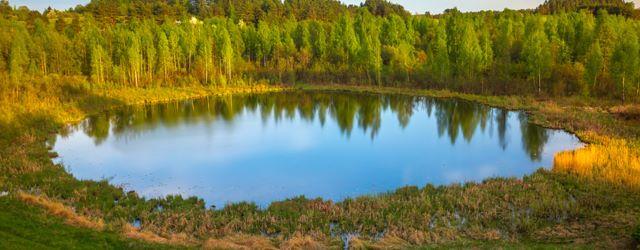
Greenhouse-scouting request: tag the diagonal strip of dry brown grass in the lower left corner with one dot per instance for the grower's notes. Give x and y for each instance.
(60, 210)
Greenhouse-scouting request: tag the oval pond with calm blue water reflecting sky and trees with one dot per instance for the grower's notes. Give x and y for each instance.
(332, 145)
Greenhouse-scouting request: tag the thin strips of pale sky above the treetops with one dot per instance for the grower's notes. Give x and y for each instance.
(415, 6)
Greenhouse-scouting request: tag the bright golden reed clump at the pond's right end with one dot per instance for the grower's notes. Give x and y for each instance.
(614, 161)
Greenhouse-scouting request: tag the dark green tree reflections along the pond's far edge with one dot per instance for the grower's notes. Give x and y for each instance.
(456, 119)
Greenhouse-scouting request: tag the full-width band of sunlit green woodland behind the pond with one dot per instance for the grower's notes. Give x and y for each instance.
(574, 51)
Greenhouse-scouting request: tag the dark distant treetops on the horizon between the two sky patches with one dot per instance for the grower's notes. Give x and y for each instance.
(251, 11)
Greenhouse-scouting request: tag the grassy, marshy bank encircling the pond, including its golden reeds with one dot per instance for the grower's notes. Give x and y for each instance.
(590, 198)
